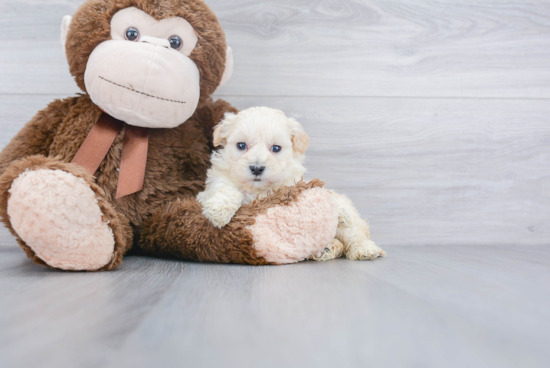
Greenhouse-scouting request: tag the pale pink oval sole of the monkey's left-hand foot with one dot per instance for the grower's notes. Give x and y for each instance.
(57, 215)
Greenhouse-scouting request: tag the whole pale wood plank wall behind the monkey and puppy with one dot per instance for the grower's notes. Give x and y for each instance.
(433, 116)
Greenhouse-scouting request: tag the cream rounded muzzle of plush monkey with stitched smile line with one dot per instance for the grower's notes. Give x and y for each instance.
(143, 84)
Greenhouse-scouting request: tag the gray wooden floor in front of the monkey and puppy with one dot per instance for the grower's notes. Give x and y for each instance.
(424, 306)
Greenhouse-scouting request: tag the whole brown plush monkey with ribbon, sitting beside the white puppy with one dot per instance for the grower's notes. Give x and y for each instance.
(119, 166)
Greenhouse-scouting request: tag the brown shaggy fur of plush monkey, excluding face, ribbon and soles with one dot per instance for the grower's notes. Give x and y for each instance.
(163, 218)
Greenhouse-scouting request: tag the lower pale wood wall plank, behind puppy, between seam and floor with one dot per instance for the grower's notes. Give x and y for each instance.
(424, 171)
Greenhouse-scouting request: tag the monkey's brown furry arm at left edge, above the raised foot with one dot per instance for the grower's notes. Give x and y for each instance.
(37, 135)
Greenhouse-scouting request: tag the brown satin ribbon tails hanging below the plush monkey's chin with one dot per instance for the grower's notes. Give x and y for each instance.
(134, 152)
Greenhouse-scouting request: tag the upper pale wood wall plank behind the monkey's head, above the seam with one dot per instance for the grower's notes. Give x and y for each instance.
(327, 47)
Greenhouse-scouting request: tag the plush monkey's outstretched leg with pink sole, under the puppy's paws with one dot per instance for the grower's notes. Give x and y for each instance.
(286, 227)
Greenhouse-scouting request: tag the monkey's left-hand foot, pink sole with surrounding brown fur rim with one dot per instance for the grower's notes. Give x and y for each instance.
(60, 217)
